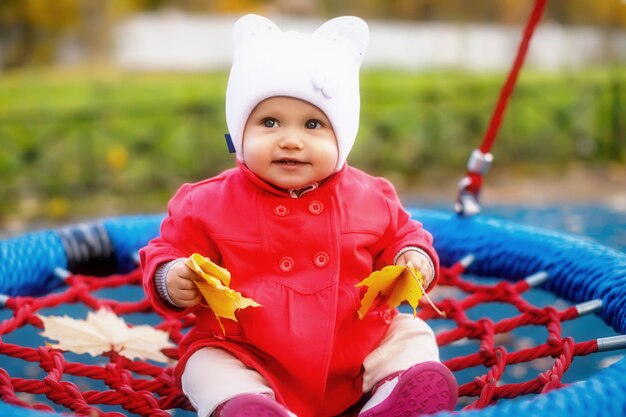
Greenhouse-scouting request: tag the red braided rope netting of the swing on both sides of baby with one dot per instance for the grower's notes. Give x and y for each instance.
(148, 389)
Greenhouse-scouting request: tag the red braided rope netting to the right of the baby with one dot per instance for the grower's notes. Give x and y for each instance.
(496, 358)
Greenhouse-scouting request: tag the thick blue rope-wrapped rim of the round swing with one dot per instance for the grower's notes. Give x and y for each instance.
(579, 270)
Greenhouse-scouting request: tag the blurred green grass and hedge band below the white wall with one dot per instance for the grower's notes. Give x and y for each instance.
(79, 144)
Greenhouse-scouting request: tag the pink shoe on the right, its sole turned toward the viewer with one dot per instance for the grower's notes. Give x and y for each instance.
(425, 388)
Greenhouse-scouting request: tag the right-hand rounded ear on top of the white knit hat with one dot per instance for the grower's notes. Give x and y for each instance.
(350, 29)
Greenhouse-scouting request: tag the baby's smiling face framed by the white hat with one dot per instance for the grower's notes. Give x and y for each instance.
(289, 143)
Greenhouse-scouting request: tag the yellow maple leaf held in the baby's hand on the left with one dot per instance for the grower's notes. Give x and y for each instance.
(215, 289)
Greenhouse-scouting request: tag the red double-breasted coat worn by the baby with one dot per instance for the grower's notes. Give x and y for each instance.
(300, 258)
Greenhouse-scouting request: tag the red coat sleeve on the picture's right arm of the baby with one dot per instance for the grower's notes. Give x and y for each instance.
(402, 232)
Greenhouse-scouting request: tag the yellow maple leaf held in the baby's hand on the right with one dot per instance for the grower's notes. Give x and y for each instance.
(396, 283)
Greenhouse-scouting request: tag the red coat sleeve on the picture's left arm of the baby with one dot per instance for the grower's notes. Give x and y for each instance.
(181, 235)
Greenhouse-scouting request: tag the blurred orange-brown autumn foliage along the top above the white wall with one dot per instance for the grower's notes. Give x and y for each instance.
(37, 32)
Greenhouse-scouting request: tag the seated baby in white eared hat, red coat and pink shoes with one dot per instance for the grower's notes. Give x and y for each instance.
(297, 228)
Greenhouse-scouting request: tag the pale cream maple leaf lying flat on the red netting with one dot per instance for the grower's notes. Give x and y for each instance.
(103, 331)
